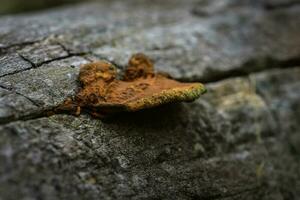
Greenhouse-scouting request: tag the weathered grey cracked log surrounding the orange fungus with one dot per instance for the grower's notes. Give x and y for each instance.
(241, 140)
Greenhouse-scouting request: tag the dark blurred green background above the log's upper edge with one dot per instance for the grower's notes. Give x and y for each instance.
(19, 6)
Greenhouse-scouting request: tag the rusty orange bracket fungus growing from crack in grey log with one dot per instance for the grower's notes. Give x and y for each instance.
(102, 93)
